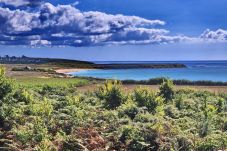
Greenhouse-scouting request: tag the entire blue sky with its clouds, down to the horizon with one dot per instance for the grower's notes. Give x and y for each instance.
(115, 30)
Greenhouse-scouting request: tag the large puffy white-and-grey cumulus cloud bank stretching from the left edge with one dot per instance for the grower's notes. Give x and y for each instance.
(64, 25)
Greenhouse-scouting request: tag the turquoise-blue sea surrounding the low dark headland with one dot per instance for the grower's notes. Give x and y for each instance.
(196, 70)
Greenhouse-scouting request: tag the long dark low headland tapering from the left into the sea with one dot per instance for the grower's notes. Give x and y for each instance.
(66, 63)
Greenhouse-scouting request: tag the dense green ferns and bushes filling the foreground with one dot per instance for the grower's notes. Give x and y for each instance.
(55, 117)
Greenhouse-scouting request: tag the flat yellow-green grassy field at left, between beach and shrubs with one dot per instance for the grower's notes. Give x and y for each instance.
(40, 78)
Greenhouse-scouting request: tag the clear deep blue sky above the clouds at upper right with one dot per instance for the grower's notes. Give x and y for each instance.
(189, 17)
